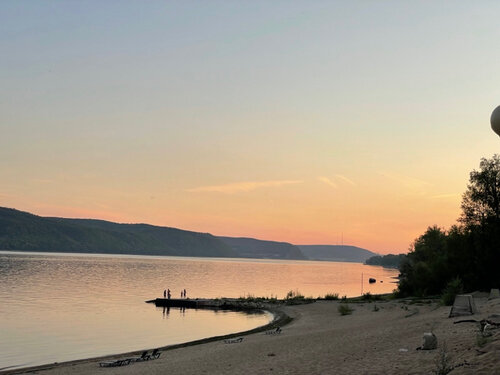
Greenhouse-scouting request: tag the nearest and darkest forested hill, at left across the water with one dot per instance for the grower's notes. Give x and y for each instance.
(24, 231)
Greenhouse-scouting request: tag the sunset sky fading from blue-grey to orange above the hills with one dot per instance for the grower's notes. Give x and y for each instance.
(310, 122)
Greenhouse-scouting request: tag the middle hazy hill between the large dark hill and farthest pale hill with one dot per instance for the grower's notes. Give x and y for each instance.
(253, 248)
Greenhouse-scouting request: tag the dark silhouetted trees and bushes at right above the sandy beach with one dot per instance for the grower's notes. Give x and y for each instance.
(467, 255)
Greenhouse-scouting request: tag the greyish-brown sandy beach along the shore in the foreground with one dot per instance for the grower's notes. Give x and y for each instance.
(321, 341)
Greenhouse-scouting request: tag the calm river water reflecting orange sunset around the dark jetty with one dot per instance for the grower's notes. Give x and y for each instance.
(57, 307)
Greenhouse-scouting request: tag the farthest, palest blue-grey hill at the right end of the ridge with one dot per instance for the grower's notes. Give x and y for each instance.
(336, 253)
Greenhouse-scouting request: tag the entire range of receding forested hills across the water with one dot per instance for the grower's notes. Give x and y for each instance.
(23, 231)
